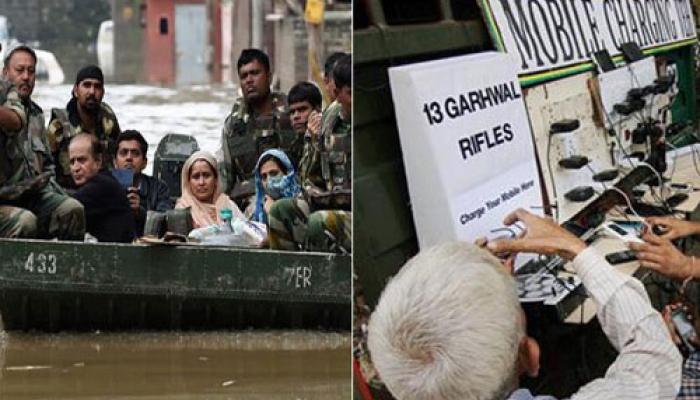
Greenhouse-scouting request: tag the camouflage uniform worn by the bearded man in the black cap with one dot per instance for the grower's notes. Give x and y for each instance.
(65, 123)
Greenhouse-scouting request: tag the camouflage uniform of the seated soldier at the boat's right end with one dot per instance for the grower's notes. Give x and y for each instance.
(321, 220)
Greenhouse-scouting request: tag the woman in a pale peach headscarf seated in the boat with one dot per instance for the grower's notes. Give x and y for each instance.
(201, 190)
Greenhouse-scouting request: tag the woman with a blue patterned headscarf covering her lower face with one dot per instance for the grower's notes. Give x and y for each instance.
(275, 178)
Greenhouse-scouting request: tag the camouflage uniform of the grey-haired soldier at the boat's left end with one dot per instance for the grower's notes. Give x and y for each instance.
(43, 211)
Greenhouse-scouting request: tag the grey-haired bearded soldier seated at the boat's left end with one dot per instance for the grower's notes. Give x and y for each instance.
(36, 206)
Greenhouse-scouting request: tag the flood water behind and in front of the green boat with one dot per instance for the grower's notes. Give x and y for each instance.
(219, 365)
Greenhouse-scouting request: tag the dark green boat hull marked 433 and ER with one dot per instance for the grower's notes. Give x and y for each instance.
(52, 286)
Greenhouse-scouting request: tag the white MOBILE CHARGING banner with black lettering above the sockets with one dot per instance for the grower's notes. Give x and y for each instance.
(552, 34)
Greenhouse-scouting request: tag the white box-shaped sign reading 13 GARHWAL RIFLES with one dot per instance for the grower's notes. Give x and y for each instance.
(466, 144)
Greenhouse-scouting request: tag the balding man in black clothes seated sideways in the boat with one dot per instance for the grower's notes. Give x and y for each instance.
(108, 214)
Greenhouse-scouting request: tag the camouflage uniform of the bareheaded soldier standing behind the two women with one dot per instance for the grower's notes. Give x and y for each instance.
(246, 136)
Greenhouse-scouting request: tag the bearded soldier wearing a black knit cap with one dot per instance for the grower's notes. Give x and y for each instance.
(84, 113)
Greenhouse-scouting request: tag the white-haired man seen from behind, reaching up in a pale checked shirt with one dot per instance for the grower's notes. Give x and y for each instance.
(449, 324)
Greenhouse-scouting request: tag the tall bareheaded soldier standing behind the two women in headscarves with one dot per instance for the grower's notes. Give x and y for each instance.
(258, 121)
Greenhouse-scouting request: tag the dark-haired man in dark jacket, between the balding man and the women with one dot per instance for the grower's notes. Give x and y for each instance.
(146, 192)
